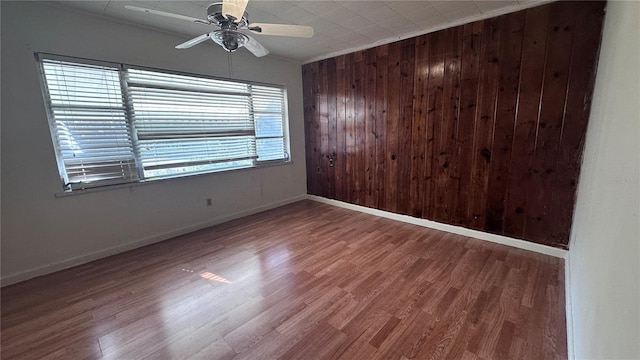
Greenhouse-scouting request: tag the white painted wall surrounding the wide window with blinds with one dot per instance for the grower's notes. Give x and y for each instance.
(42, 233)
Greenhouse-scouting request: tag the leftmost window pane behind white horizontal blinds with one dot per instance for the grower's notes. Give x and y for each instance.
(90, 124)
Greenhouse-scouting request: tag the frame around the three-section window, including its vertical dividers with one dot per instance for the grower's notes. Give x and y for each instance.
(122, 69)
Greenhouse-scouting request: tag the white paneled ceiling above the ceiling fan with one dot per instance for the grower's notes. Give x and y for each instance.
(340, 26)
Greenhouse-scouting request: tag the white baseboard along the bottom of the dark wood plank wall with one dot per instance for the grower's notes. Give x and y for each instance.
(499, 239)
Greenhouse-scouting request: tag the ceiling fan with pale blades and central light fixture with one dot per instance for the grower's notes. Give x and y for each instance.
(232, 19)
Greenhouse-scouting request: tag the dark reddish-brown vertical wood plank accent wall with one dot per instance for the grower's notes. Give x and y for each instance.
(480, 125)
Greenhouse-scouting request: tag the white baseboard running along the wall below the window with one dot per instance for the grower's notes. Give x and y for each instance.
(83, 259)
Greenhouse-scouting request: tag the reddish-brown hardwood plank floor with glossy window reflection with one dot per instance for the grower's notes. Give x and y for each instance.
(304, 281)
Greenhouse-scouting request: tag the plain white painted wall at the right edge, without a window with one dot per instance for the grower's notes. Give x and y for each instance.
(604, 254)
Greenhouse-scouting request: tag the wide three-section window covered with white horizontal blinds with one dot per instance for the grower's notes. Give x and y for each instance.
(117, 124)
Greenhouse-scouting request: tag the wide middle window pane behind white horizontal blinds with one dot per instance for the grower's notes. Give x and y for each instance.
(186, 124)
